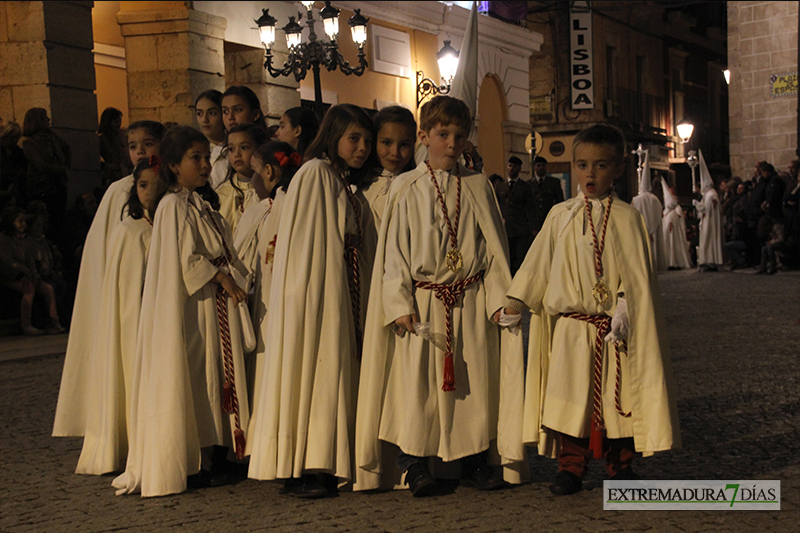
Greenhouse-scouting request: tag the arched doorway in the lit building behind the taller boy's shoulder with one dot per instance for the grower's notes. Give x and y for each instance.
(492, 112)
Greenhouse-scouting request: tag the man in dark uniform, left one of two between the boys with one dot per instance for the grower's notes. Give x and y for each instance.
(516, 201)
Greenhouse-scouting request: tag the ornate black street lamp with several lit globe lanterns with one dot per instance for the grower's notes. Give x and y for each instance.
(310, 55)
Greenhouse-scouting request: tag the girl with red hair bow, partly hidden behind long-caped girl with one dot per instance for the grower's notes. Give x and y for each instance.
(273, 164)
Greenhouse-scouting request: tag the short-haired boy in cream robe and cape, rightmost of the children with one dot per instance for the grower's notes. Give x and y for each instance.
(591, 262)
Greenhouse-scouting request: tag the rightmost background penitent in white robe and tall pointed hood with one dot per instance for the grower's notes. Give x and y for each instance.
(709, 246)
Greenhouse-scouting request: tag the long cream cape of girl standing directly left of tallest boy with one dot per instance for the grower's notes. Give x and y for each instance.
(306, 413)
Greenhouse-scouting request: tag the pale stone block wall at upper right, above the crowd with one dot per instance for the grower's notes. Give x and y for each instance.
(762, 41)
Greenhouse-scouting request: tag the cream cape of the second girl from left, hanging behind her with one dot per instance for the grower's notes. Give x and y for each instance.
(113, 354)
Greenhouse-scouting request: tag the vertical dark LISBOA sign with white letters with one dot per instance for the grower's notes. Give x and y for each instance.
(581, 59)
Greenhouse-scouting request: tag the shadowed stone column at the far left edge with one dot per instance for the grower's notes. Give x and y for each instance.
(46, 61)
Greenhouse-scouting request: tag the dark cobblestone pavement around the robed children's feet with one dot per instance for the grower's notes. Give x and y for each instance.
(734, 340)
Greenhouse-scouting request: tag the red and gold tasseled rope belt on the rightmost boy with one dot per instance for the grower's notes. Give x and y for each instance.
(603, 325)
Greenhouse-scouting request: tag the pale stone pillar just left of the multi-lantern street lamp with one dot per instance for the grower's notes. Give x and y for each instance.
(172, 56)
